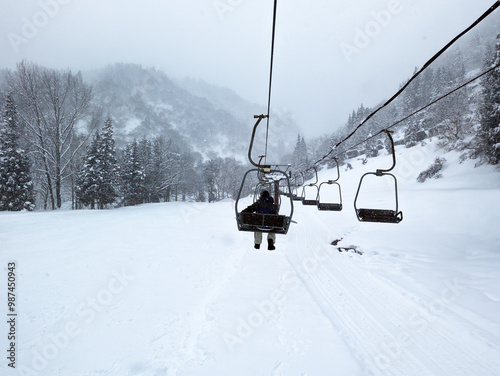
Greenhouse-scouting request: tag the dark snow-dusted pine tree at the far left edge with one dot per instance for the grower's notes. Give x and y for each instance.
(16, 187)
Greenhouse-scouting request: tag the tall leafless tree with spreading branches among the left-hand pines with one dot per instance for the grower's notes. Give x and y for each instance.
(52, 104)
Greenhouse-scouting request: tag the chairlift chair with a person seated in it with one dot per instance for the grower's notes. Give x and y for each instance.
(275, 223)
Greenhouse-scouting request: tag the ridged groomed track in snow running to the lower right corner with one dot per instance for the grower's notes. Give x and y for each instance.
(387, 328)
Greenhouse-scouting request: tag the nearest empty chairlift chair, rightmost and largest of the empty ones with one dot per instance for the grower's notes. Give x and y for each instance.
(381, 215)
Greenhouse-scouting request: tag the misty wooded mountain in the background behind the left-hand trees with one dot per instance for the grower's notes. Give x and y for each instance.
(147, 103)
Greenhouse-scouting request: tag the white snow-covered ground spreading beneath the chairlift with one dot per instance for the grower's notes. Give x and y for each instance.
(175, 289)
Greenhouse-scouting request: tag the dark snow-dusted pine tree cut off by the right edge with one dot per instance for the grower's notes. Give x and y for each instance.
(490, 111)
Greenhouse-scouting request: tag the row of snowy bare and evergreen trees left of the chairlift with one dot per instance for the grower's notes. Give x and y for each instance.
(57, 146)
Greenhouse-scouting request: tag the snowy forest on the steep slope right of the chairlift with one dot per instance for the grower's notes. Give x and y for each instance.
(456, 100)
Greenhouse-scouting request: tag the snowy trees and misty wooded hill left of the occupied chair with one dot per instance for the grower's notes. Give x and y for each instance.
(60, 144)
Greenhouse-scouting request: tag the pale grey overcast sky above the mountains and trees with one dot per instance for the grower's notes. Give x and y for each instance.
(330, 55)
